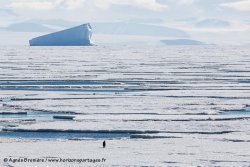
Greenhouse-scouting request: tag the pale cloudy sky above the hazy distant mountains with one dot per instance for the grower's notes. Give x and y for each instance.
(194, 16)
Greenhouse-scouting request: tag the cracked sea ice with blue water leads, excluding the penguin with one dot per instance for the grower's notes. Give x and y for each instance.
(154, 106)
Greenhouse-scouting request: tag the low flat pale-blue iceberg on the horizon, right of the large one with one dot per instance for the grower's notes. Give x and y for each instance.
(182, 42)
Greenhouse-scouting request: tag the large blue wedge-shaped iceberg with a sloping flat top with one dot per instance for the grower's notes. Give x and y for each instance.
(76, 36)
